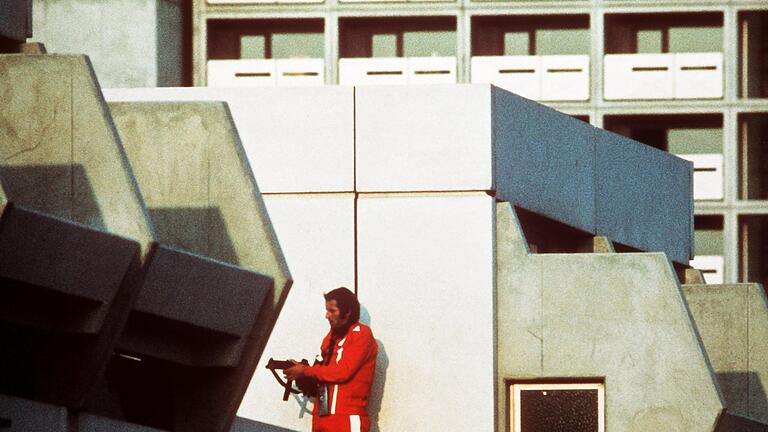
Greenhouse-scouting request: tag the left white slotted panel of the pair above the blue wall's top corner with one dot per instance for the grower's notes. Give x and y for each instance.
(518, 74)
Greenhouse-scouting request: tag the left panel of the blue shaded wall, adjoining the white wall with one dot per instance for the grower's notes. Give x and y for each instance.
(544, 160)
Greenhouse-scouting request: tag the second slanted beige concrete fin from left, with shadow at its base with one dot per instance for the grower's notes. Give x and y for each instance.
(191, 167)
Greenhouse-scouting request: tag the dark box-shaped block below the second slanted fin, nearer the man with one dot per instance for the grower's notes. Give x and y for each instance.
(186, 289)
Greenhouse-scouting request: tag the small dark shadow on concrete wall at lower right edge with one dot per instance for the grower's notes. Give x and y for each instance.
(743, 392)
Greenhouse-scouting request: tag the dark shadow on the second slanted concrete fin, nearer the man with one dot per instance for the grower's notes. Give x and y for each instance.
(200, 230)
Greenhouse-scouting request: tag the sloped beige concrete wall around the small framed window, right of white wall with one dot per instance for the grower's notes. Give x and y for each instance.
(616, 318)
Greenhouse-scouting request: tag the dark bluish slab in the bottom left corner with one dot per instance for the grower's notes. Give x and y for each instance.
(27, 416)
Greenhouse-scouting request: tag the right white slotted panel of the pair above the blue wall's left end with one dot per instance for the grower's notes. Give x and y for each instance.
(565, 78)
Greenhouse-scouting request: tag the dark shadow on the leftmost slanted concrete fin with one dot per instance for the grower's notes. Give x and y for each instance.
(58, 190)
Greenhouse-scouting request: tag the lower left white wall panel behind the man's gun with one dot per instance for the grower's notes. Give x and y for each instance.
(317, 235)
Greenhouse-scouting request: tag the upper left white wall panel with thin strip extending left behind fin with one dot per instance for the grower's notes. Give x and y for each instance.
(297, 139)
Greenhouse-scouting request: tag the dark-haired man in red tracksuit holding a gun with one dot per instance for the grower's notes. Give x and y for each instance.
(347, 368)
